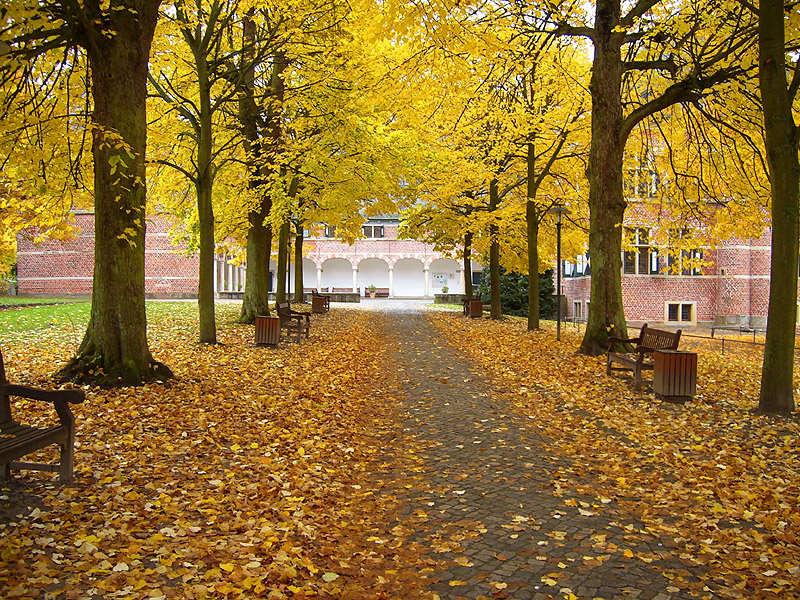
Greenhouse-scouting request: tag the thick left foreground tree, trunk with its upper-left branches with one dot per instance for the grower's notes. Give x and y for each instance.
(116, 37)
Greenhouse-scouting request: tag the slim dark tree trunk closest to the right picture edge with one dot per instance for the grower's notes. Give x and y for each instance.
(777, 389)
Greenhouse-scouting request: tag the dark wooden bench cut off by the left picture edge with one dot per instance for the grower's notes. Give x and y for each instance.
(18, 440)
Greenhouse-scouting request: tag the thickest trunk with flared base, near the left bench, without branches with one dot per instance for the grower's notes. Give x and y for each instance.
(114, 350)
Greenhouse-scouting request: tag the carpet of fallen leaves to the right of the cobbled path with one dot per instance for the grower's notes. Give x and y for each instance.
(720, 481)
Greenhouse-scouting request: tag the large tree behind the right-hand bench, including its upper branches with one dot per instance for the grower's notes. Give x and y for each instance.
(653, 57)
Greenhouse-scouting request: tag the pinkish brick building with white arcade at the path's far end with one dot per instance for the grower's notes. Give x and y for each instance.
(407, 268)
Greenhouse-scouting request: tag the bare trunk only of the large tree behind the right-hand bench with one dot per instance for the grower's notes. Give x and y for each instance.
(606, 201)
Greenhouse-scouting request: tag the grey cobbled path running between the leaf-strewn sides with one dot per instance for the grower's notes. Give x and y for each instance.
(482, 497)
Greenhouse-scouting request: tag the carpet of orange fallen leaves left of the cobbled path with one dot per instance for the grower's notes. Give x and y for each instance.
(247, 476)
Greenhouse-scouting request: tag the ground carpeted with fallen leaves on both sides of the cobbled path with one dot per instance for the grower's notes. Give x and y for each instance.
(254, 473)
